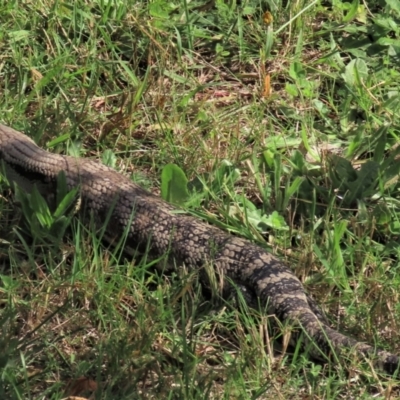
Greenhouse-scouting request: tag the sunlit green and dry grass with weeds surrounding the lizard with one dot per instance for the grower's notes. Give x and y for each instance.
(289, 132)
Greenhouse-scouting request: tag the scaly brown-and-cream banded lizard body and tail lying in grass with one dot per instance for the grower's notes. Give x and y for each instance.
(188, 240)
